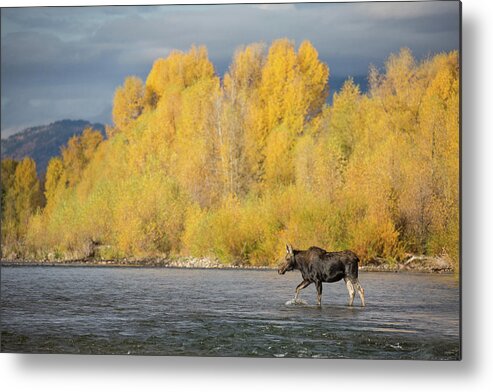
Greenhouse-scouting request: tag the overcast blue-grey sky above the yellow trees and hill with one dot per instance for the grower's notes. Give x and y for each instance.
(65, 62)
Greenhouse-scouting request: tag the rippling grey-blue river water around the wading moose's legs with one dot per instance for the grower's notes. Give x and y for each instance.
(164, 311)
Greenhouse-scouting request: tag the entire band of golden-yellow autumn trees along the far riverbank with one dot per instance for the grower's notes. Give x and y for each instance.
(235, 167)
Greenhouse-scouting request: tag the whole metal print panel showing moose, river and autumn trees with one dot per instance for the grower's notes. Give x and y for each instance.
(242, 180)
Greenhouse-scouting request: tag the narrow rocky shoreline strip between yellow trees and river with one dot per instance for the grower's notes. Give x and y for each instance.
(410, 264)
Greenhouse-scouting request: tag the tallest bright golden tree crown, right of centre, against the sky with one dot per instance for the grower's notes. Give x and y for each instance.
(293, 87)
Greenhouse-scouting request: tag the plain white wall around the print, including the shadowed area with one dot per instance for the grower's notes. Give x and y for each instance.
(473, 373)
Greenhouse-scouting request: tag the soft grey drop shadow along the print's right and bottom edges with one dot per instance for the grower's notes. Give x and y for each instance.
(30, 364)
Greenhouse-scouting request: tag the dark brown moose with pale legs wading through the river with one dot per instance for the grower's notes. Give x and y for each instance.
(317, 265)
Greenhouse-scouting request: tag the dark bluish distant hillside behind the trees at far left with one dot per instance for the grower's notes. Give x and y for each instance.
(44, 142)
